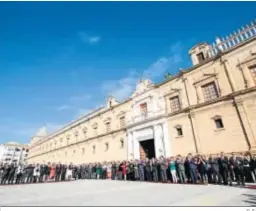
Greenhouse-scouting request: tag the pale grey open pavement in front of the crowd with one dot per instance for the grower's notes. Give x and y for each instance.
(124, 193)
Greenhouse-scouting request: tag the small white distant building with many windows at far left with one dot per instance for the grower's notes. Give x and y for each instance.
(13, 152)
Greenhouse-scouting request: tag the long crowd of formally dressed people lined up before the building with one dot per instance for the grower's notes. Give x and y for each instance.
(198, 169)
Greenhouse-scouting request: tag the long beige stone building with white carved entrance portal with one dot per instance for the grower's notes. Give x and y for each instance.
(208, 108)
